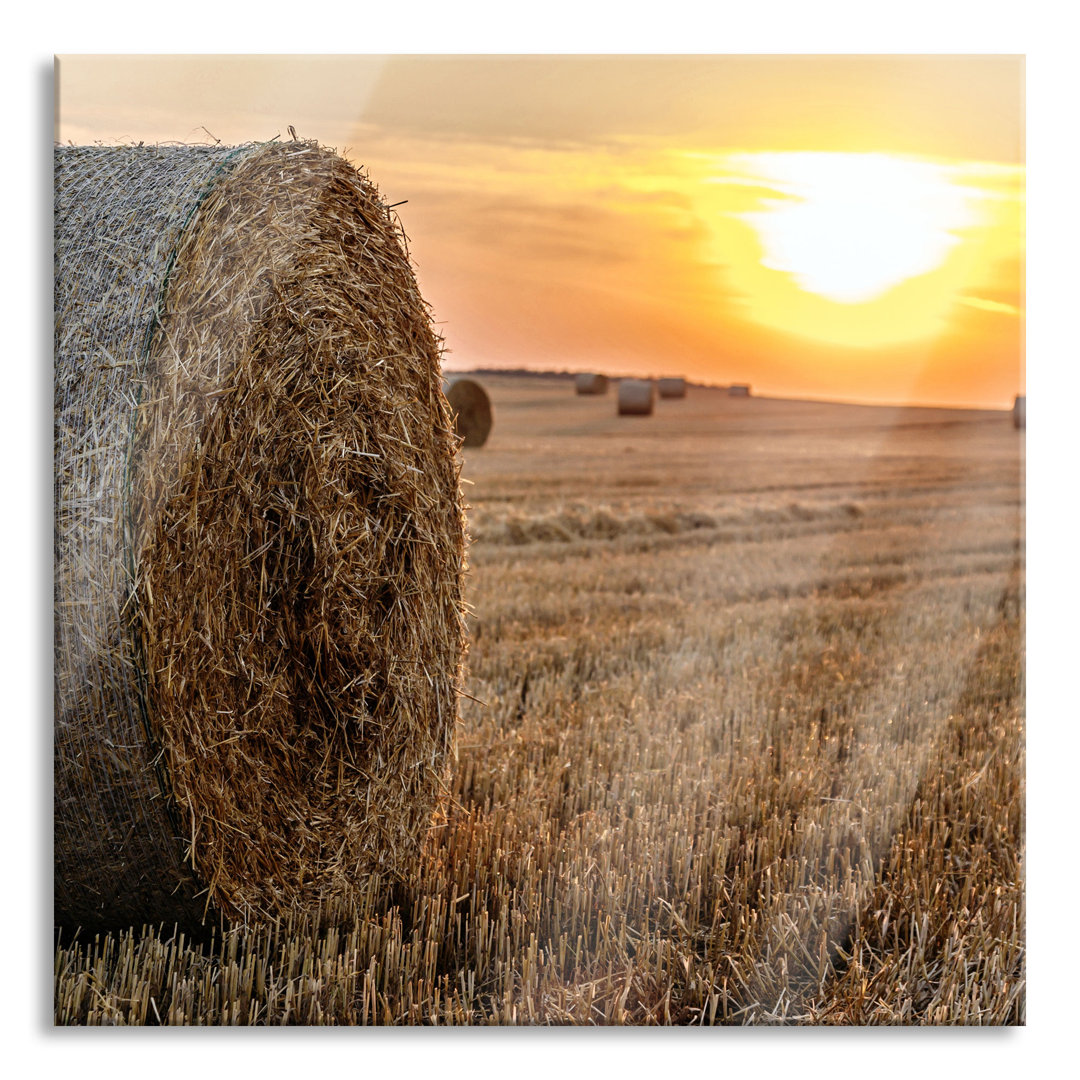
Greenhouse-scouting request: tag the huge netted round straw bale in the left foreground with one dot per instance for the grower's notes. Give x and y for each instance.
(259, 538)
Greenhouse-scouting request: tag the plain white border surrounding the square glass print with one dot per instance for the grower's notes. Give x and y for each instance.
(1044, 31)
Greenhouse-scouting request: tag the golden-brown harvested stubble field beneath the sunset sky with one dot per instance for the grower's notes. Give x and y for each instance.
(745, 742)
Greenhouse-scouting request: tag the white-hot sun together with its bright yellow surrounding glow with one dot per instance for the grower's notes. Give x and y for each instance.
(861, 250)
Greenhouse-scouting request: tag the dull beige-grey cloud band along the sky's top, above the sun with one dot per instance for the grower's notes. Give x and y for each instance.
(957, 106)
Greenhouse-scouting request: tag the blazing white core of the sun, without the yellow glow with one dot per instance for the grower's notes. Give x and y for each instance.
(850, 226)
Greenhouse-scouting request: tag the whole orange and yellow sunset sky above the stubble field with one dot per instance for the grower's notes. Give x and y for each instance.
(845, 227)
